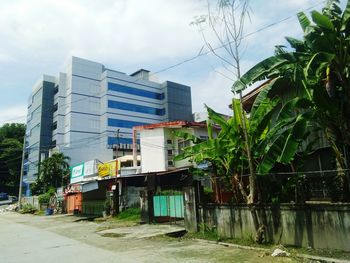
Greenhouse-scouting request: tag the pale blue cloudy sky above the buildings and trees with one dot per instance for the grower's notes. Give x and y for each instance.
(39, 36)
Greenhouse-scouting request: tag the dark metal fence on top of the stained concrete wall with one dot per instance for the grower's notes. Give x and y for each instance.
(288, 187)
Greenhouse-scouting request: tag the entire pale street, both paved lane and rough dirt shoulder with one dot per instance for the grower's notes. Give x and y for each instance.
(28, 238)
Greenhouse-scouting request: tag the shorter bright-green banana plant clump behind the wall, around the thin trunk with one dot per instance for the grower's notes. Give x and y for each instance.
(271, 142)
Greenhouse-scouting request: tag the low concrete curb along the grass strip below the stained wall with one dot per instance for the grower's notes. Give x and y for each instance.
(305, 256)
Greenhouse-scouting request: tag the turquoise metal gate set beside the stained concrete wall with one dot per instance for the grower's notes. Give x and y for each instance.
(168, 207)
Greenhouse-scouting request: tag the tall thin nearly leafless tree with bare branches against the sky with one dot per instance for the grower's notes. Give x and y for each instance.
(227, 22)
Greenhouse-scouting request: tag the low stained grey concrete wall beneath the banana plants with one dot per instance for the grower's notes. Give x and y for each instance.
(317, 226)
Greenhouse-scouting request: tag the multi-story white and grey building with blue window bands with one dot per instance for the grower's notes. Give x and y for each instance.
(90, 108)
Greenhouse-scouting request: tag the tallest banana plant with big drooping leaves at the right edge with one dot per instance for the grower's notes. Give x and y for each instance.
(318, 70)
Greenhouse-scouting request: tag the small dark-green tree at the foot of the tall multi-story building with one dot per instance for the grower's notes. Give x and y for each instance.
(53, 172)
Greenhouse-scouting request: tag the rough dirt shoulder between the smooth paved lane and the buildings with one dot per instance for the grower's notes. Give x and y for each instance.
(138, 242)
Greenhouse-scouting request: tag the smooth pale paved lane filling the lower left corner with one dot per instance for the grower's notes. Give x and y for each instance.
(23, 243)
